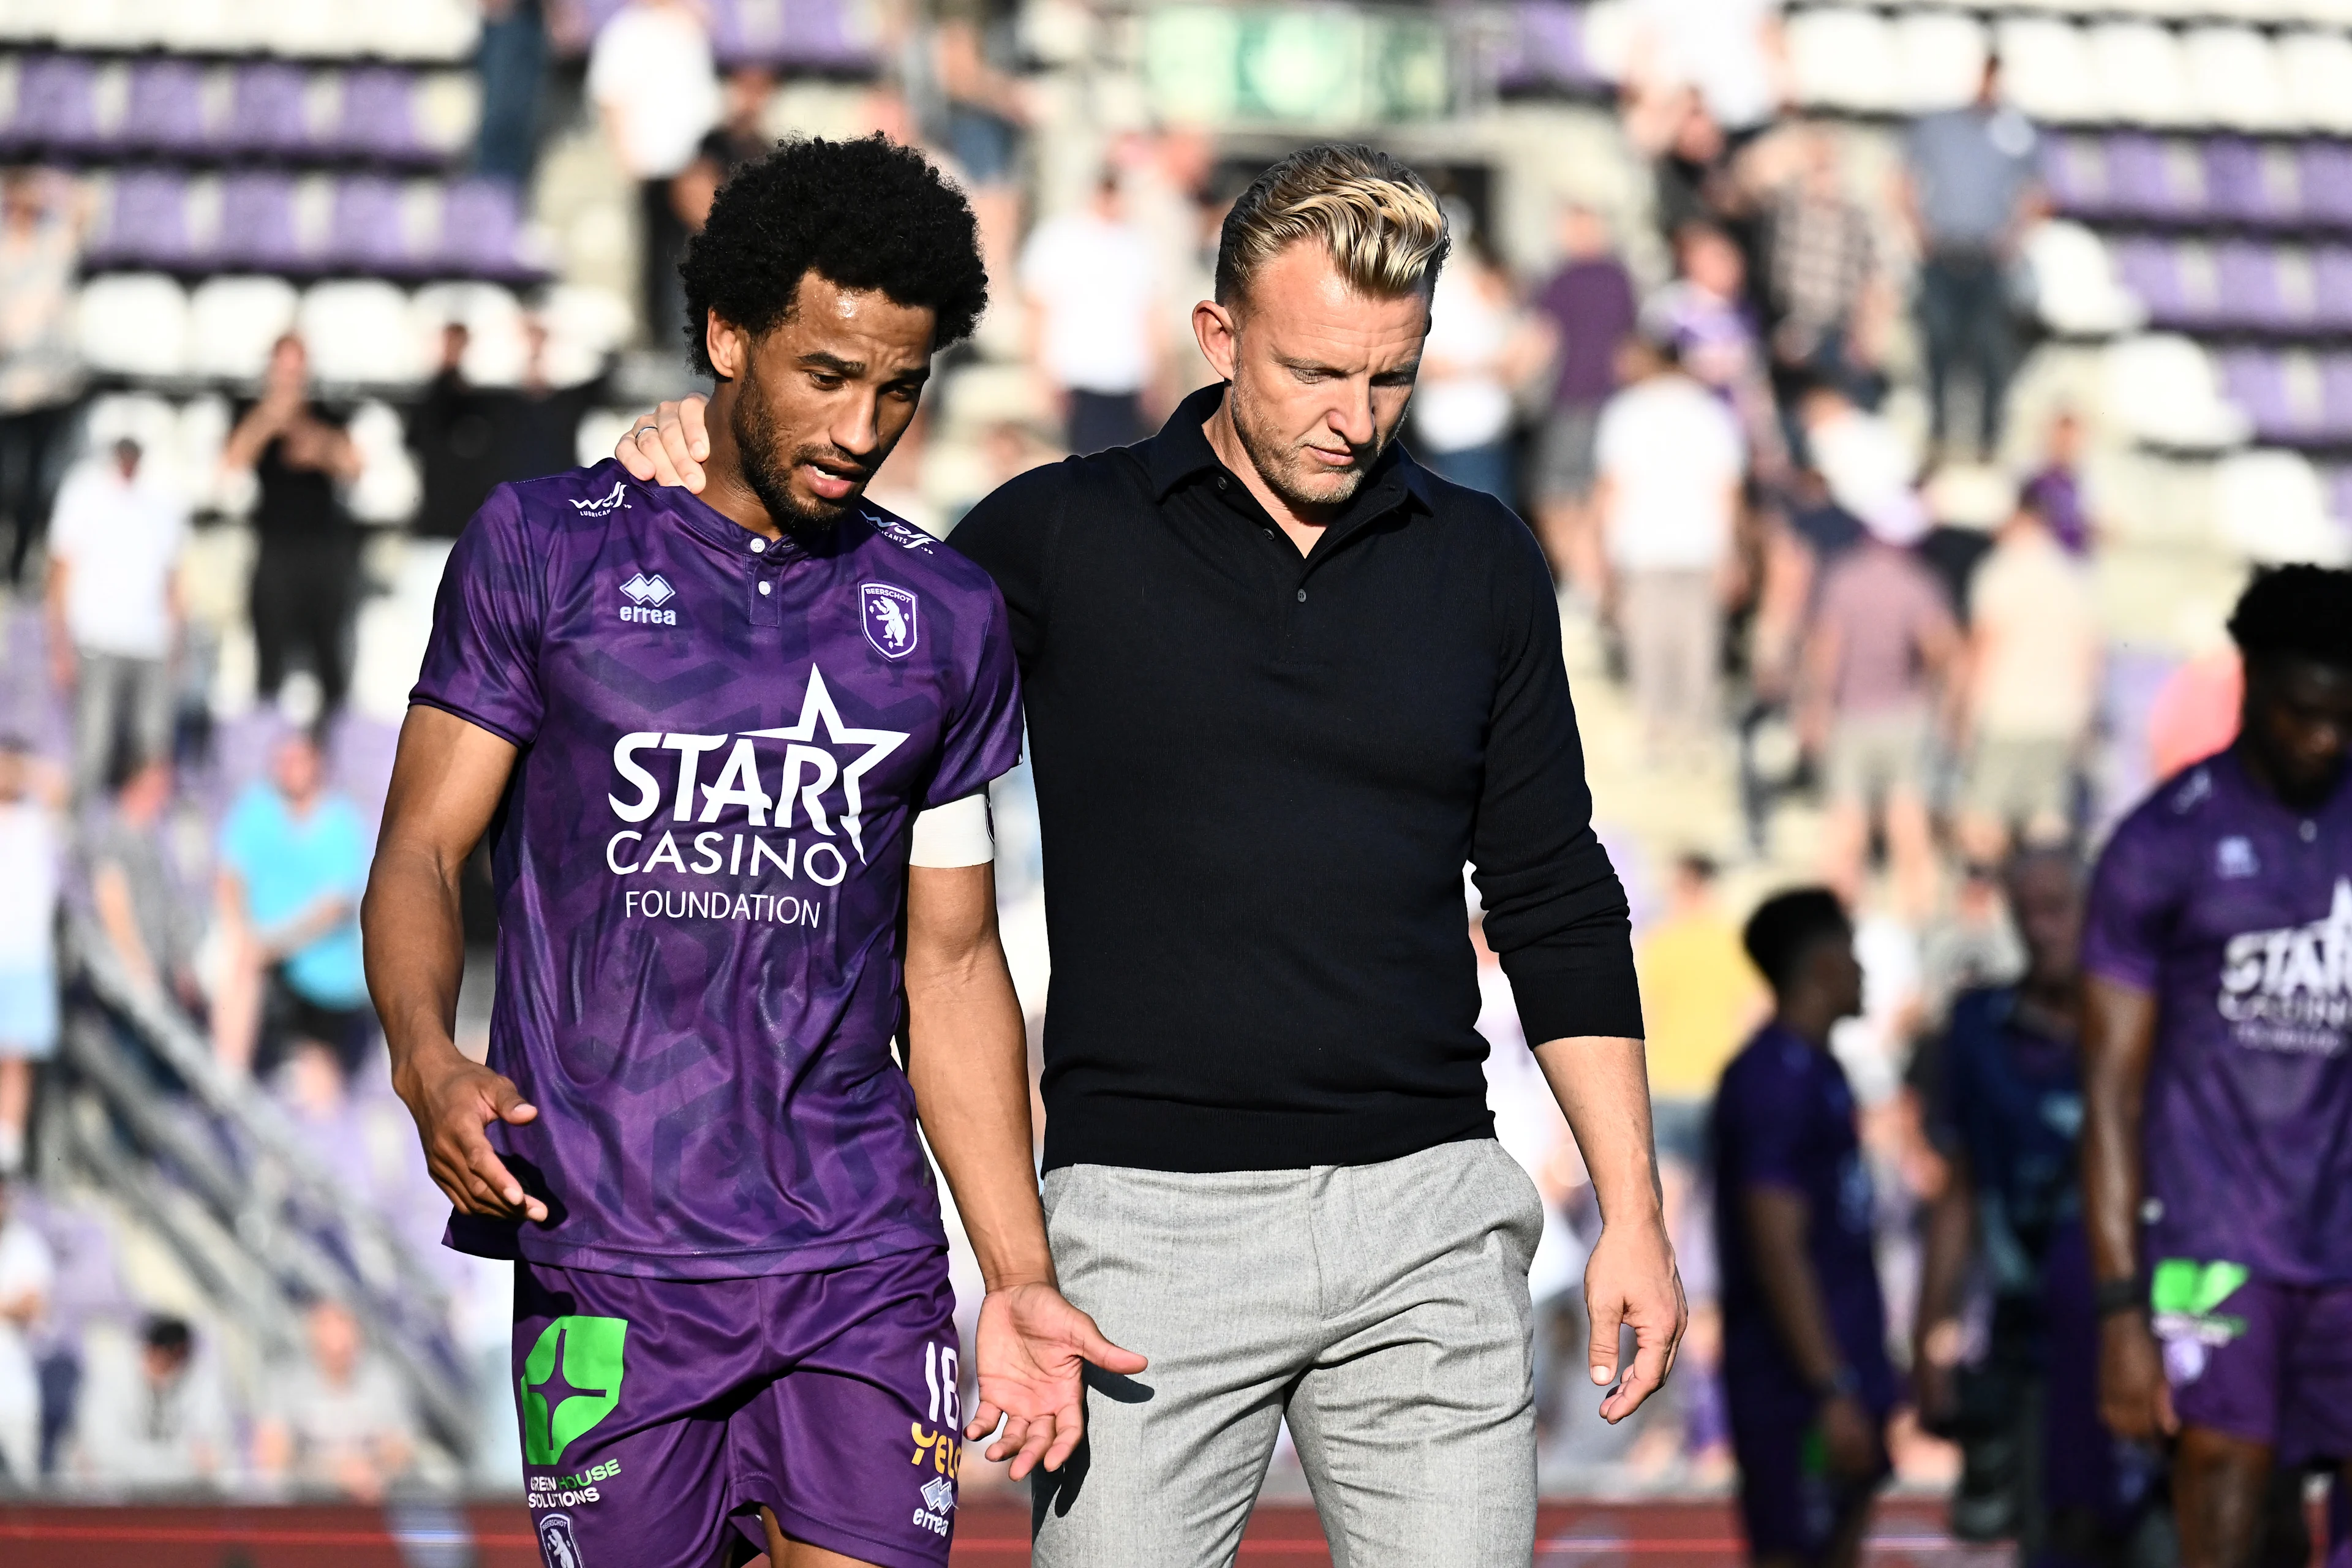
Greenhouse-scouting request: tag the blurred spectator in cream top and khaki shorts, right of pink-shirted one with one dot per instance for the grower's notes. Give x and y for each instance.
(2031, 690)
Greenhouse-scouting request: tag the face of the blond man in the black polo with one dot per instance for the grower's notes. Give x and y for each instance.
(1321, 373)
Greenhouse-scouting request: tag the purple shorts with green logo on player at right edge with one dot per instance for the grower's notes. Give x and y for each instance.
(2259, 1360)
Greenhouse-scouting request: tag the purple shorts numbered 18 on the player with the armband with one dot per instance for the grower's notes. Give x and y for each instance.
(662, 1414)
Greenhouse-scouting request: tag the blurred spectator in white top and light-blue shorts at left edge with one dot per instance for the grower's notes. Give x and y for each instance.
(29, 869)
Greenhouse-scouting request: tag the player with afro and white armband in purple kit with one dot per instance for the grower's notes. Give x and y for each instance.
(733, 756)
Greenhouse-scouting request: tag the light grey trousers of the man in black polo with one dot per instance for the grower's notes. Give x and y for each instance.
(1379, 1308)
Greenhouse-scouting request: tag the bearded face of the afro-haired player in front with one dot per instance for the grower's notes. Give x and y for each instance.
(817, 403)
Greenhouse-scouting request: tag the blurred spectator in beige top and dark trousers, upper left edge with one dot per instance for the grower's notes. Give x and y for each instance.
(41, 373)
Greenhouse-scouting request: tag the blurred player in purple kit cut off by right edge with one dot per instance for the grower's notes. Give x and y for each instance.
(2219, 1085)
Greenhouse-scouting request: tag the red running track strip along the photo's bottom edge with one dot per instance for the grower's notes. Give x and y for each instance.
(989, 1536)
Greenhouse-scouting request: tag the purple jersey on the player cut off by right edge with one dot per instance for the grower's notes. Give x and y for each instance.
(2236, 913)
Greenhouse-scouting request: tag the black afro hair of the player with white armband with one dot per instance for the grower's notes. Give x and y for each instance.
(864, 215)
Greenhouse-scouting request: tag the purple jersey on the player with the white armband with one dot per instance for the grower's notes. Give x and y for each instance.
(702, 862)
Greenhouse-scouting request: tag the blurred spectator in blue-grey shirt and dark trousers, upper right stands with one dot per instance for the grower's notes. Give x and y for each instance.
(1970, 192)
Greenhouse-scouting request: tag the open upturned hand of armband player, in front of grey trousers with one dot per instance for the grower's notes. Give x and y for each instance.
(1031, 1353)
